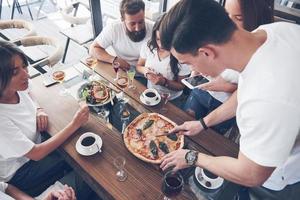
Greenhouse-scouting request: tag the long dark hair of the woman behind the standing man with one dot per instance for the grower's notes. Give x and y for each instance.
(256, 13)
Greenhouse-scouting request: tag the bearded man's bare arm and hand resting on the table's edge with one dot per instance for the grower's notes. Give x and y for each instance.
(101, 54)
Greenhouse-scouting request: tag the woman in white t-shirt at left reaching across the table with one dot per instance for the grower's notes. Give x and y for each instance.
(24, 161)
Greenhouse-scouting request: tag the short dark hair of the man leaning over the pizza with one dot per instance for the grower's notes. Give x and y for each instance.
(190, 24)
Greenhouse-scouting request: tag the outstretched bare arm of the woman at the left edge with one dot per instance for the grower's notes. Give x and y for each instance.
(41, 150)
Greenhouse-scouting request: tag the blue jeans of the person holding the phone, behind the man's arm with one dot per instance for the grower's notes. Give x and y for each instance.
(202, 103)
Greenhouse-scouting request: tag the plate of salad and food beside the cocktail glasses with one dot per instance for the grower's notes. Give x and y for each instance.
(96, 93)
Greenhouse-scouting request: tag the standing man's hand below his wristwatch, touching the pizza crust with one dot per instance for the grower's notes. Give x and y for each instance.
(175, 160)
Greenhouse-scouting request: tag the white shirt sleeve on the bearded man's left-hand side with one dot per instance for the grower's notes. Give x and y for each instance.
(106, 37)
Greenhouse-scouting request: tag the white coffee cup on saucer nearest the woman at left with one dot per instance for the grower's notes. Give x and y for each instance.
(89, 143)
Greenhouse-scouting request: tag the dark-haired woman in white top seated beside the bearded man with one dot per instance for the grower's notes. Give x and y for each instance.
(161, 68)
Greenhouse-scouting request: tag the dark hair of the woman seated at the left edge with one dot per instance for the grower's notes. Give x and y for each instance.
(7, 52)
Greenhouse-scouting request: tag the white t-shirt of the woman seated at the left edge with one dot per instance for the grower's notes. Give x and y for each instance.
(18, 134)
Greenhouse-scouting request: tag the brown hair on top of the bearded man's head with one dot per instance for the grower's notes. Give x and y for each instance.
(131, 7)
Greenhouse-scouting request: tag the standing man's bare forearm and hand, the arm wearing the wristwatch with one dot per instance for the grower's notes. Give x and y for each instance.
(232, 169)
